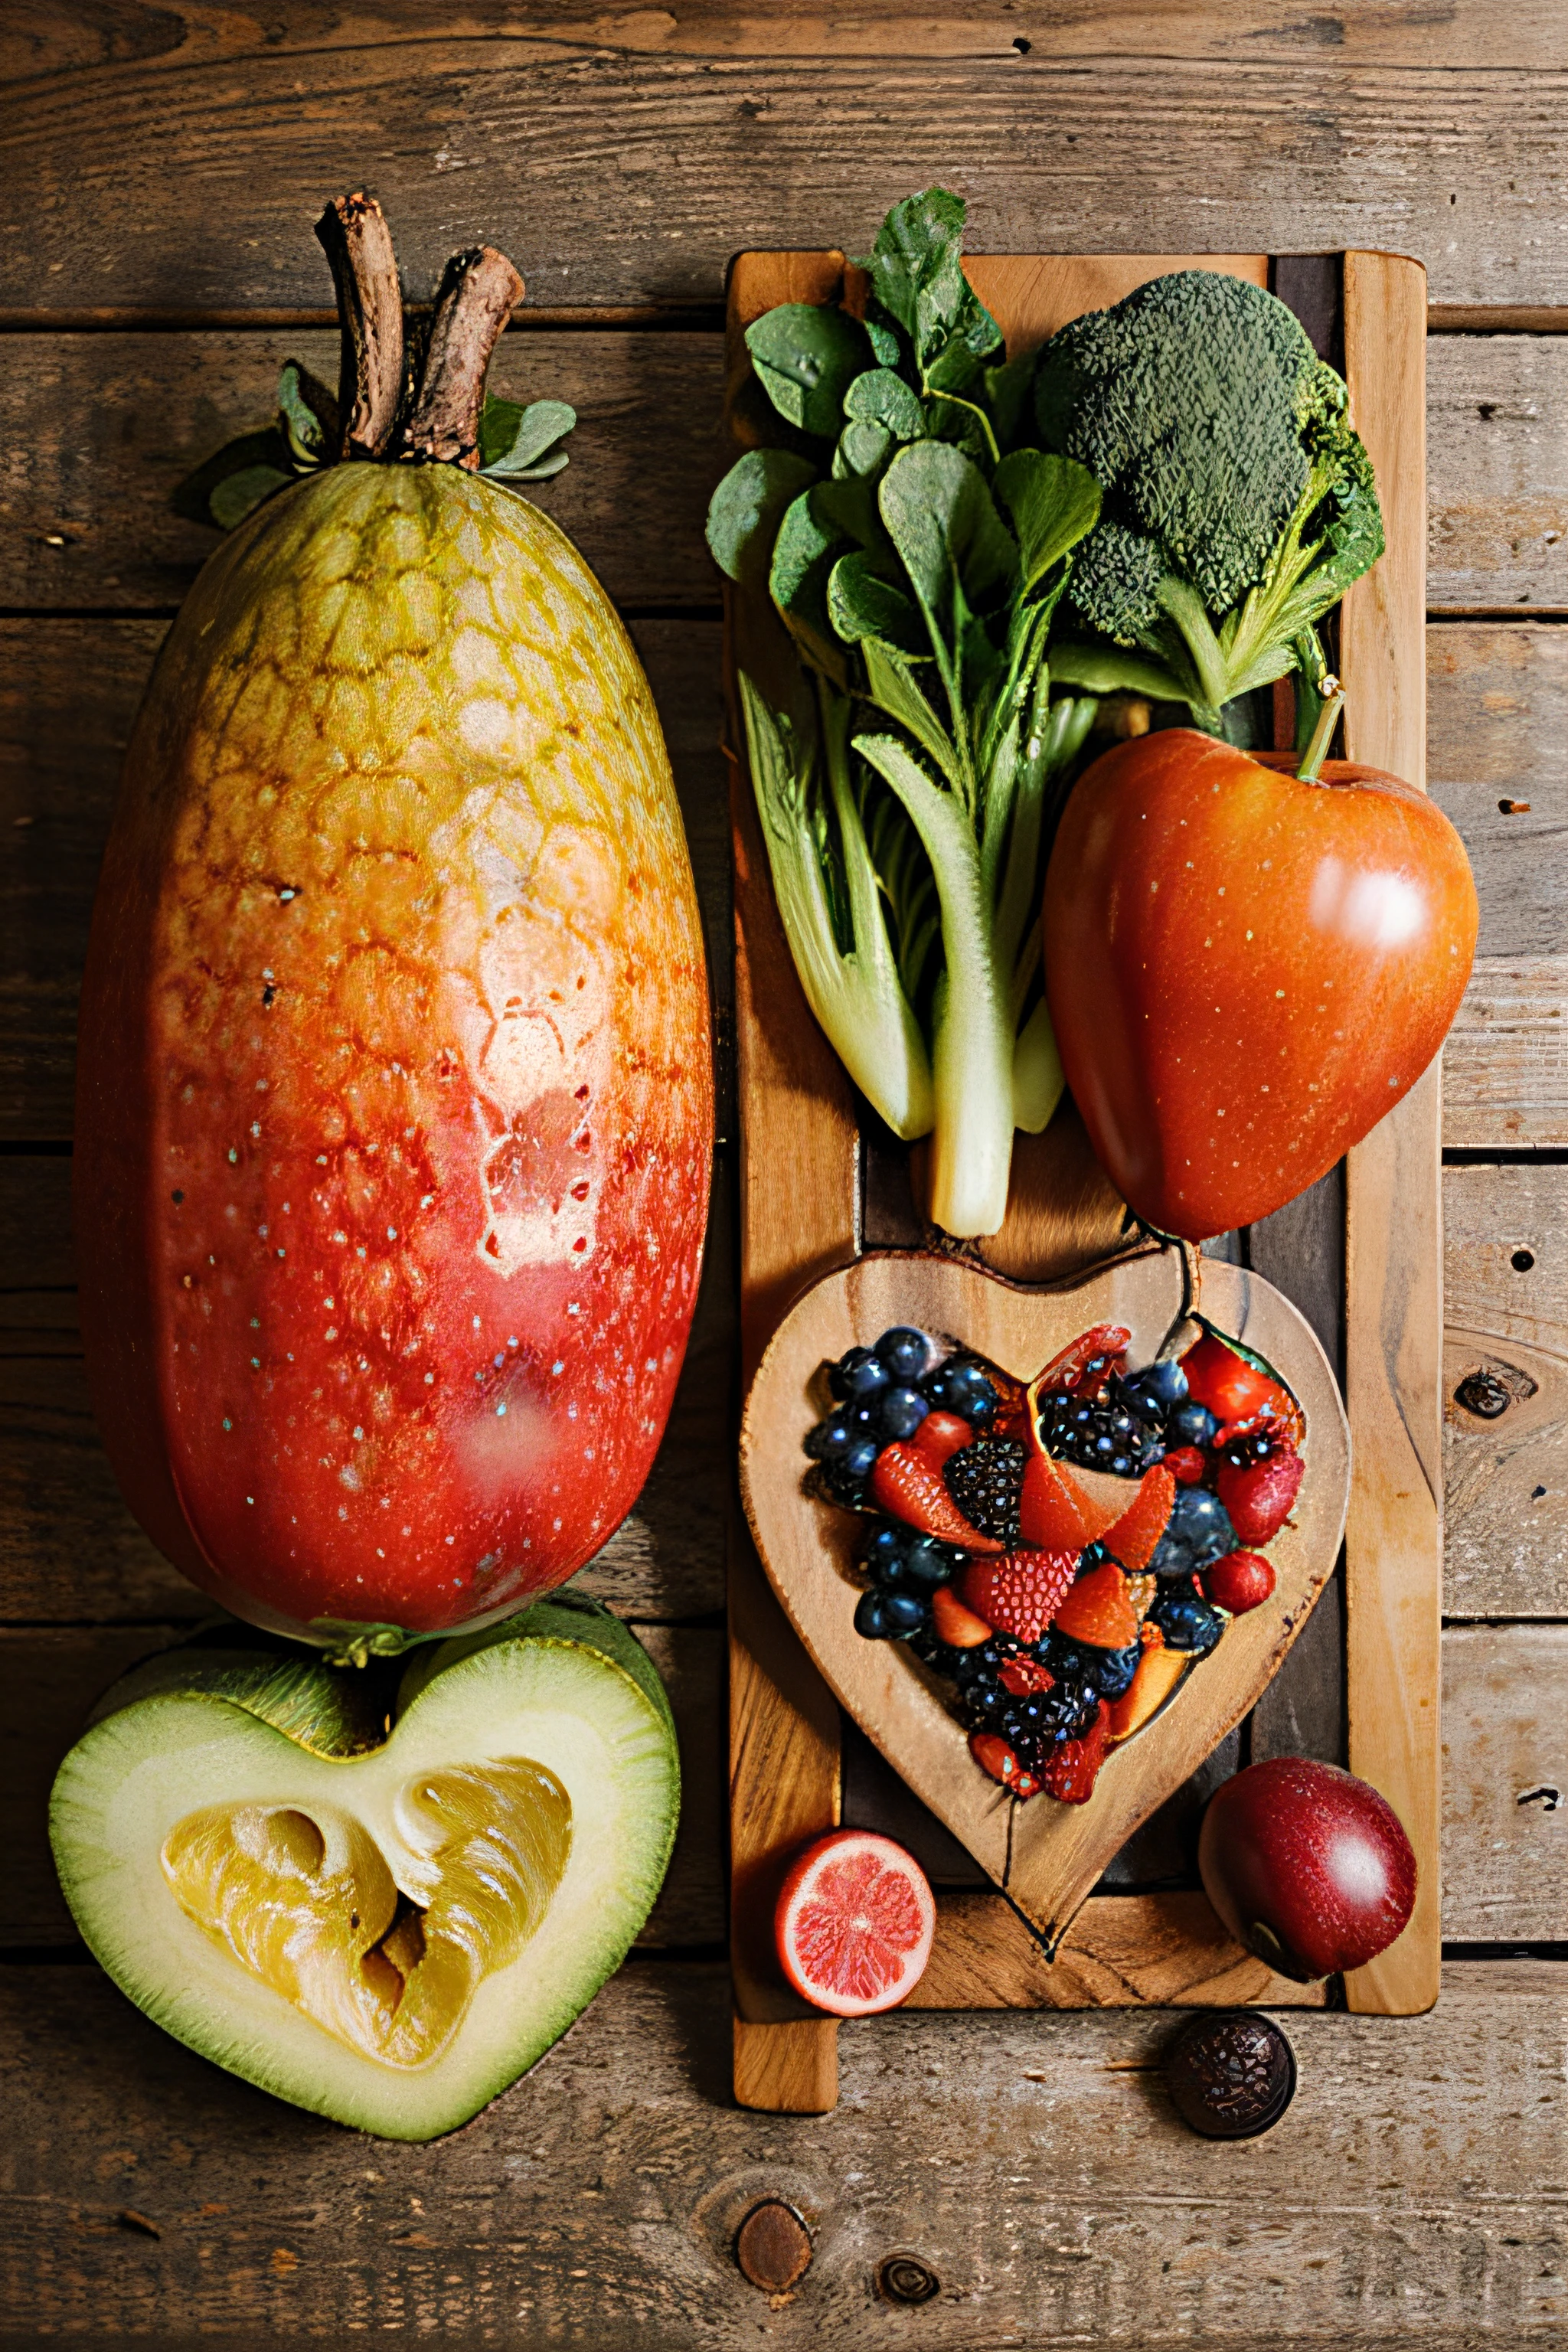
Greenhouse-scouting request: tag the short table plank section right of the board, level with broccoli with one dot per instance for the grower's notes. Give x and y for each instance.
(1499, 422)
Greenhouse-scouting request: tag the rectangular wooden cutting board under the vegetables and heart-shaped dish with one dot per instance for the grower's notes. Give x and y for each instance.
(803, 1177)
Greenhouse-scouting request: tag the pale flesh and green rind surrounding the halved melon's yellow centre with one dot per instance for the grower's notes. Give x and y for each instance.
(208, 2003)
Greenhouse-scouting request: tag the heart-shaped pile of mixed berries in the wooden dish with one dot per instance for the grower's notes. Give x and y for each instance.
(1059, 1615)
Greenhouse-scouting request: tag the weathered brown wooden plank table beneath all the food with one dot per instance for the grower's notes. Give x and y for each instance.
(163, 168)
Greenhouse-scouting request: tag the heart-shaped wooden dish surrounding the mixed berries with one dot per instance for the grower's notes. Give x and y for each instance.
(1043, 1855)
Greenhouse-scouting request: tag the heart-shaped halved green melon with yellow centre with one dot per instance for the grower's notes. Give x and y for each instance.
(384, 1918)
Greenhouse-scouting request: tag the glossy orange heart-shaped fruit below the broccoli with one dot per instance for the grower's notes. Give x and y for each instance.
(1247, 973)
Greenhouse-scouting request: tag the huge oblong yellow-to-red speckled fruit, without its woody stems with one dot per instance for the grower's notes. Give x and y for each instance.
(396, 1097)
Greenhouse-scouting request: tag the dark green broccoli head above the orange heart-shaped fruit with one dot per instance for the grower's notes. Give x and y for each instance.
(1238, 500)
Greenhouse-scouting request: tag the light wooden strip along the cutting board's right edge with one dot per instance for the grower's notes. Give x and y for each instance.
(1393, 1187)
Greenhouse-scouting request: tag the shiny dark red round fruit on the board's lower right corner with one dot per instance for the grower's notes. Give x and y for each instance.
(1306, 1866)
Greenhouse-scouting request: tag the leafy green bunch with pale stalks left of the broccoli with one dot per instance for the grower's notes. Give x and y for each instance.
(909, 780)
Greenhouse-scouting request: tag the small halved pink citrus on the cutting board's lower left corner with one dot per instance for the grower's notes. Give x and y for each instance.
(855, 1923)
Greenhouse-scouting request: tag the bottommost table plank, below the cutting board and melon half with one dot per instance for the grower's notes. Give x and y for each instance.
(1033, 2163)
